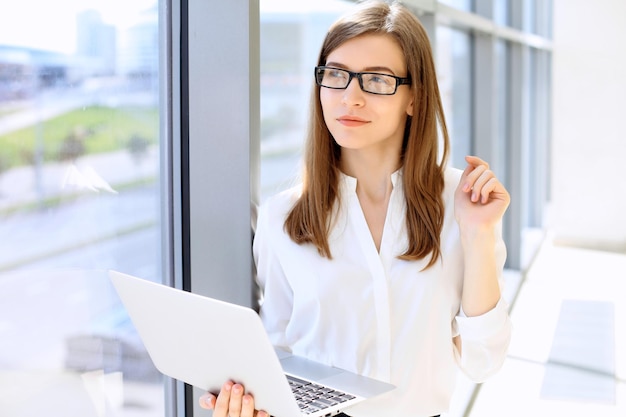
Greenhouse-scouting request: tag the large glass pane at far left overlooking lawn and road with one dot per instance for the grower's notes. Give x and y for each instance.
(79, 194)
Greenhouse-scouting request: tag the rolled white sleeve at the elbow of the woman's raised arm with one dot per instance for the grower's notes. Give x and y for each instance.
(485, 339)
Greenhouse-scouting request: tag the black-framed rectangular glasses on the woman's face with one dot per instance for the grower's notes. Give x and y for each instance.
(370, 82)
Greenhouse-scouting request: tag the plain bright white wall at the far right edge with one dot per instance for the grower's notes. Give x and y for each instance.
(589, 123)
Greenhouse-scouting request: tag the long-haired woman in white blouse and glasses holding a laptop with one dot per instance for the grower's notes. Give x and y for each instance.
(384, 261)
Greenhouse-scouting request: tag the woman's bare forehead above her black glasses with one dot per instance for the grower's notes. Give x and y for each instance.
(369, 51)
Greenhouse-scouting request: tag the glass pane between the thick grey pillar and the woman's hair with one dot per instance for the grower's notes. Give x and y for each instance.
(291, 36)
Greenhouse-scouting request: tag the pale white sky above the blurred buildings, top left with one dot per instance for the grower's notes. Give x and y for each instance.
(51, 25)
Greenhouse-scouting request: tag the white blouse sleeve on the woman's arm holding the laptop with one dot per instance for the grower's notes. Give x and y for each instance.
(276, 294)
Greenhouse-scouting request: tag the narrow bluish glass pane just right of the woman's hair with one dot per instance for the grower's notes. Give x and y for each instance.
(454, 72)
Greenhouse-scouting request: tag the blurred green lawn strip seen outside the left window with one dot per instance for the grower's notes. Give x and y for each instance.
(89, 130)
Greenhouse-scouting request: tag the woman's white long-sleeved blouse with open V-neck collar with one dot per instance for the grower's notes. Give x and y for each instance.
(372, 313)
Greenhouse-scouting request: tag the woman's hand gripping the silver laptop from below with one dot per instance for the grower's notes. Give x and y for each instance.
(232, 401)
